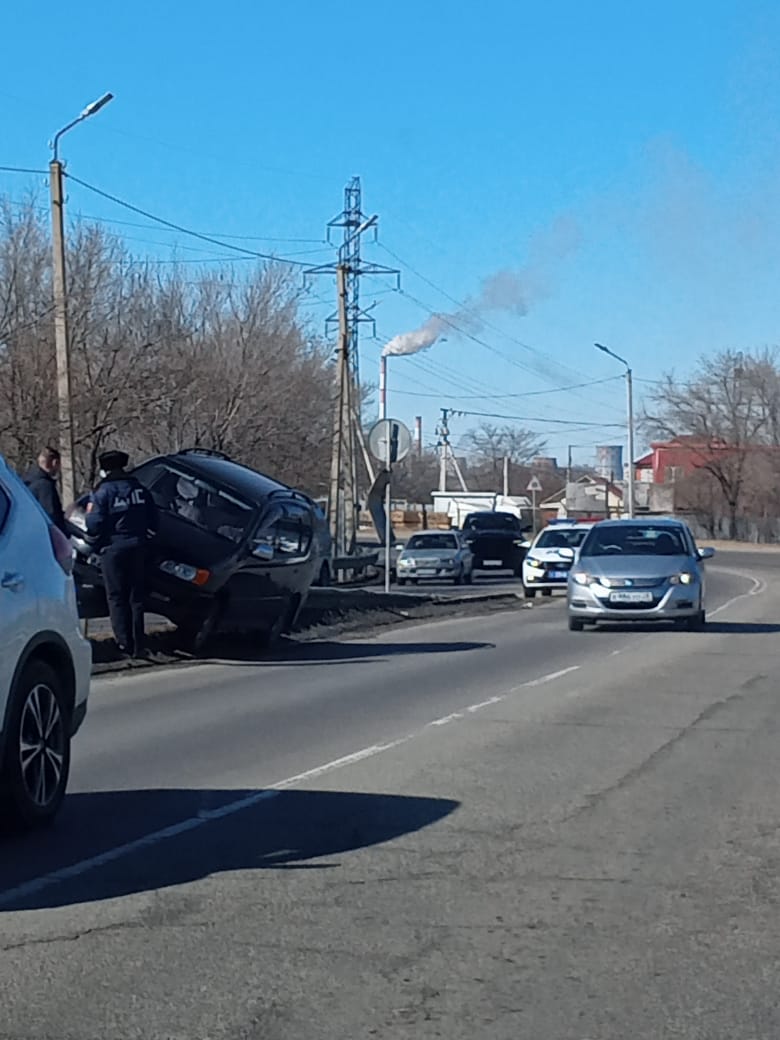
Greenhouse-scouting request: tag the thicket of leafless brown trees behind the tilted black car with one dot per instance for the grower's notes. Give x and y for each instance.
(161, 360)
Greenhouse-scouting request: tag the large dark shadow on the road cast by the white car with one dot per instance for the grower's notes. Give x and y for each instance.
(115, 844)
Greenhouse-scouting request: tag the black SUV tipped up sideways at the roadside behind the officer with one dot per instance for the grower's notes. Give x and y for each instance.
(236, 550)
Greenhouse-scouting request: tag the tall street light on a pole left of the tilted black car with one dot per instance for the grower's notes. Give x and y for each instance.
(61, 302)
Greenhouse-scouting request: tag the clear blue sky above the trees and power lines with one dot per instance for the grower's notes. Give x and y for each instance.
(652, 129)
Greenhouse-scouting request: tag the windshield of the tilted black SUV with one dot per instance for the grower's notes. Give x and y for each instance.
(196, 501)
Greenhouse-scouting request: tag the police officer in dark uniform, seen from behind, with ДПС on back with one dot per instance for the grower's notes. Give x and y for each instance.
(121, 516)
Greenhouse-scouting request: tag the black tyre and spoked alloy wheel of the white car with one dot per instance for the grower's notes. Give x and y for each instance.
(37, 760)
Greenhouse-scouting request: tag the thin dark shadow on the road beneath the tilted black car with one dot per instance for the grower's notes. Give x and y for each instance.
(333, 653)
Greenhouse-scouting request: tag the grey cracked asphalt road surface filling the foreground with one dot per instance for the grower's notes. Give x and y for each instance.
(475, 828)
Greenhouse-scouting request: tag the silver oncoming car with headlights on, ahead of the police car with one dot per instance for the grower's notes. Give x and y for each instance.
(638, 570)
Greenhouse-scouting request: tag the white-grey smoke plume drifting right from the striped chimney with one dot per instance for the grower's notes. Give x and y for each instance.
(514, 292)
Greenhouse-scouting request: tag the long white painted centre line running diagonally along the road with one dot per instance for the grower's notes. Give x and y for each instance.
(36, 886)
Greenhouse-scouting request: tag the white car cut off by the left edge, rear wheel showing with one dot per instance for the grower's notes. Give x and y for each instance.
(45, 662)
